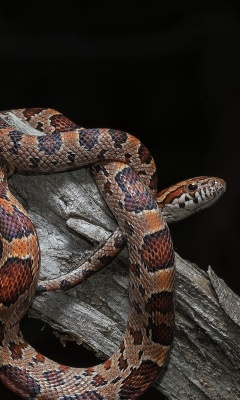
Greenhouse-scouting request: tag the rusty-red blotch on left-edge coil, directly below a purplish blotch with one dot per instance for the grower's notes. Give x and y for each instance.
(15, 279)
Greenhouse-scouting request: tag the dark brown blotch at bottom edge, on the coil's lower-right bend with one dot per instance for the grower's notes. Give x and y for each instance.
(133, 385)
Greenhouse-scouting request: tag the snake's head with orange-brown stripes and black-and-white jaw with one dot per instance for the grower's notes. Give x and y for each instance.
(190, 196)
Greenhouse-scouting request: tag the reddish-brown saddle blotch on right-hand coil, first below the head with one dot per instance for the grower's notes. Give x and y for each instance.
(157, 251)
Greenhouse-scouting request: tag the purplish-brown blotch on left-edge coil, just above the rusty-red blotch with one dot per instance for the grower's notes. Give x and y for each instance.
(14, 225)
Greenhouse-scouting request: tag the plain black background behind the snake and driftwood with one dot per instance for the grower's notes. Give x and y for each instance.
(166, 72)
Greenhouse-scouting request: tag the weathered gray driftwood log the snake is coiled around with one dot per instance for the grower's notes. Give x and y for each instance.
(71, 219)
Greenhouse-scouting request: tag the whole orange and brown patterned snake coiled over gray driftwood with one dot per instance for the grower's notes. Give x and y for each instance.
(43, 140)
